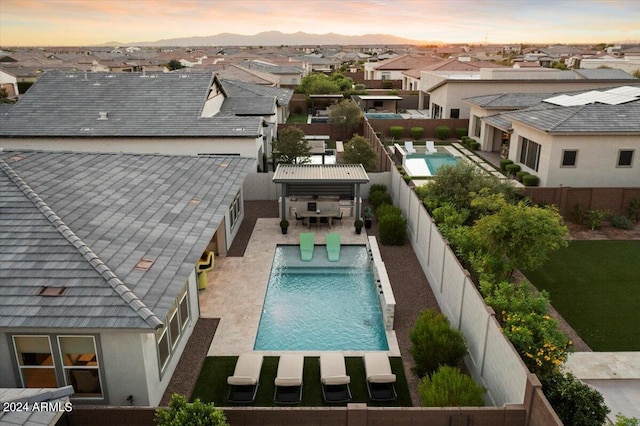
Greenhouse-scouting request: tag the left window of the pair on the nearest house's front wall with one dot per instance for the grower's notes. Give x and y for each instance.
(35, 361)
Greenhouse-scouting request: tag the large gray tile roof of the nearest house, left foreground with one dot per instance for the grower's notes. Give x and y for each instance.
(62, 209)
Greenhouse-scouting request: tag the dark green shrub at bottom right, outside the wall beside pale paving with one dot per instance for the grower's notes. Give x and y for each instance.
(575, 402)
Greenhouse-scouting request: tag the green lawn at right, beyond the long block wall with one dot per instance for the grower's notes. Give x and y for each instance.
(595, 285)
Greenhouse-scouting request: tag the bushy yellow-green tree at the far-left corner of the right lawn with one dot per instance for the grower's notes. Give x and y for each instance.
(522, 234)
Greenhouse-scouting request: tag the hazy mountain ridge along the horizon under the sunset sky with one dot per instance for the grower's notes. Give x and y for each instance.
(277, 38)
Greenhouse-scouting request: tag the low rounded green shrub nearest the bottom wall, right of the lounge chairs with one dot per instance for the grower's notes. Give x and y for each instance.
(448, 387)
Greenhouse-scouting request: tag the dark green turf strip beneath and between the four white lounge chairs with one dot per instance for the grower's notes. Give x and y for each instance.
(212, 382)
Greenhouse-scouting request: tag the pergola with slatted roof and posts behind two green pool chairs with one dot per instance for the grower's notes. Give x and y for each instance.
(315, 180)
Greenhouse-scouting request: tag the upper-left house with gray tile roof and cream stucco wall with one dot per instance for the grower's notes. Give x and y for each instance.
(139, 113)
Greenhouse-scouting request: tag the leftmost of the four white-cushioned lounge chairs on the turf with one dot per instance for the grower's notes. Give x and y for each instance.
(243, 385)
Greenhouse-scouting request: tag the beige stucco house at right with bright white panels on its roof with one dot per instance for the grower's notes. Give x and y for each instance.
(578, 139)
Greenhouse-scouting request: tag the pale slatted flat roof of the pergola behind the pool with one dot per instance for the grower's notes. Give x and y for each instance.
(298, 173)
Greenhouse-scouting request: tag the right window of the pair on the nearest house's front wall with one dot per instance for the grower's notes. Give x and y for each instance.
(80, 365)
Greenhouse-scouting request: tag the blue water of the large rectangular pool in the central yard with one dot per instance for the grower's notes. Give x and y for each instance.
(321, 305)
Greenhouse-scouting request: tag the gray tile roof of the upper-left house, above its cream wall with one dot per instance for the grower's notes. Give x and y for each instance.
(155, 105)
